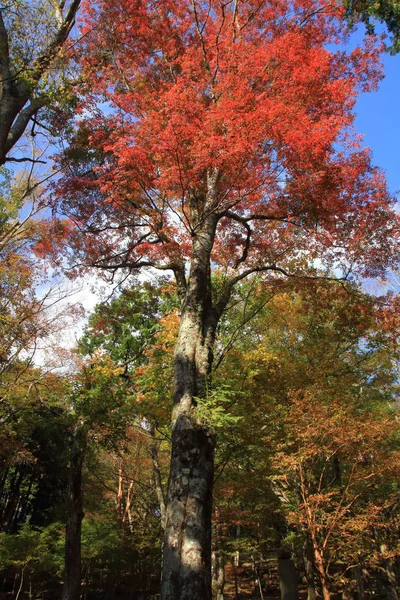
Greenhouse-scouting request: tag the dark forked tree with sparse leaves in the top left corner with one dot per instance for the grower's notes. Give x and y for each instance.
(32, 39)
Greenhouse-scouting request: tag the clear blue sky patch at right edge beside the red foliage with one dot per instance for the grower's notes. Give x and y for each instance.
(378, 118)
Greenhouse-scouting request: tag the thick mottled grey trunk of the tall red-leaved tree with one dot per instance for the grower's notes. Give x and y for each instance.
(187, 542)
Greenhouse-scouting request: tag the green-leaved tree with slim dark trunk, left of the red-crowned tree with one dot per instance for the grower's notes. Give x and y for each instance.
(114, 345)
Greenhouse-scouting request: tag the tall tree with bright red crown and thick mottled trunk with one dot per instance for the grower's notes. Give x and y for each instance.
(224, 143)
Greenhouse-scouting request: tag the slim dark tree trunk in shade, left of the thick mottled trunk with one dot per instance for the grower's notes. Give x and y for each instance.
(72, 583)
